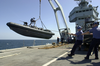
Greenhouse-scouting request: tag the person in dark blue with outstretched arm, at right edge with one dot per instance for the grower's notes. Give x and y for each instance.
(95, 41)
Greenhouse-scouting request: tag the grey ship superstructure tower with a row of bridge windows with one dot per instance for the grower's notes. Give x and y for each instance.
(84, 15)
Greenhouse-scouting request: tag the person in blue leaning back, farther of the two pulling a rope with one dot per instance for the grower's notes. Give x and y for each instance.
(79, 40)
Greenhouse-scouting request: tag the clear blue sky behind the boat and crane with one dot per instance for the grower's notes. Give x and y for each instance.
(23, 10)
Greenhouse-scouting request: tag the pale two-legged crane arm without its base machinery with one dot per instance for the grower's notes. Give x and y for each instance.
(62, 13)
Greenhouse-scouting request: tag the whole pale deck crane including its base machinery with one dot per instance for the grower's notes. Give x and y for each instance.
(63, 33)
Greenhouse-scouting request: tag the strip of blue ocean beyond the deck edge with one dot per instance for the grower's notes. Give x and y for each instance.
(9, 44)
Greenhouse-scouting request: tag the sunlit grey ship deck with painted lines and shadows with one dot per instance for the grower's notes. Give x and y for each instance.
(45, 57)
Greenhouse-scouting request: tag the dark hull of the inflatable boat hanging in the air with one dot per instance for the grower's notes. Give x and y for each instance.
(29, 31)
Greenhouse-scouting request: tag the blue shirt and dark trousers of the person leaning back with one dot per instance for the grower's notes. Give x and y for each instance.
(78, 41)
